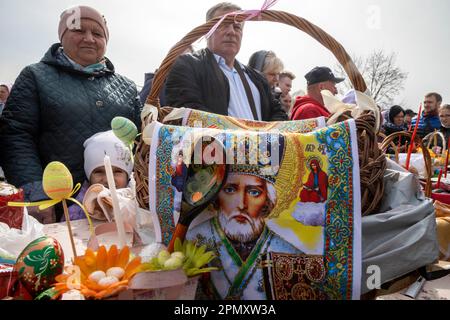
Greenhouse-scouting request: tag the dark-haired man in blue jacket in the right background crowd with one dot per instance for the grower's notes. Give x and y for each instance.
(429, 119)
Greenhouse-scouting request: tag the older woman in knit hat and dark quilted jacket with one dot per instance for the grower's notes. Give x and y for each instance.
(56, 104)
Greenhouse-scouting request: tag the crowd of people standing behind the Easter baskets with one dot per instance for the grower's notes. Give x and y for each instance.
(59, 104)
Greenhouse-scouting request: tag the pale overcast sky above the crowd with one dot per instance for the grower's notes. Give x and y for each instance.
(142, 32)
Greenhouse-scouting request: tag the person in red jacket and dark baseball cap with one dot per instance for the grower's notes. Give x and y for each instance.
(312, 105)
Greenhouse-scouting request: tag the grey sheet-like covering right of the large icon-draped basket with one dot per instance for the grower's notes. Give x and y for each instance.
(402, 236)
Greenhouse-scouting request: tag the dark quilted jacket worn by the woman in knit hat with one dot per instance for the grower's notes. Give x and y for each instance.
(53, 108)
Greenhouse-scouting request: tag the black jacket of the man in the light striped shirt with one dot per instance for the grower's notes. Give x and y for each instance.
(197, 82)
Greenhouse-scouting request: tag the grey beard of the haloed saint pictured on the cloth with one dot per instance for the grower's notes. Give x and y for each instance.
(248, 231)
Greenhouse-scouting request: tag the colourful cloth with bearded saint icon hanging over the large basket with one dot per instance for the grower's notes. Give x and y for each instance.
(285, 192)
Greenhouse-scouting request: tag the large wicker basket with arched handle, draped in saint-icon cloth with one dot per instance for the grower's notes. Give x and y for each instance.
(372, 161)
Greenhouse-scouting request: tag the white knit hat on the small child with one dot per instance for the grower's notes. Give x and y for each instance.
(106, 143)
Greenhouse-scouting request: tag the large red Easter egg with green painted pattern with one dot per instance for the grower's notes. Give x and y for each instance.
(39, 263)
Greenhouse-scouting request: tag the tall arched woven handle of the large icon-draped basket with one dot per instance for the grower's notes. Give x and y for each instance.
(267, 15)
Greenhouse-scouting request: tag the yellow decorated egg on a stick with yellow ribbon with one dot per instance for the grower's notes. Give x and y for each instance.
(57, 181)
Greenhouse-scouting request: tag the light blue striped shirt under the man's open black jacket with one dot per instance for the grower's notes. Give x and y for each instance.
(238, 106)
